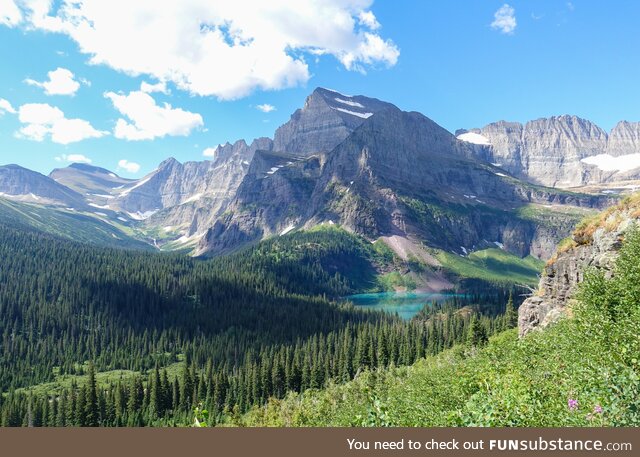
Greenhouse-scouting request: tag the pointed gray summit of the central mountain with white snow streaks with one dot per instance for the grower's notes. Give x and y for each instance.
(326, 119)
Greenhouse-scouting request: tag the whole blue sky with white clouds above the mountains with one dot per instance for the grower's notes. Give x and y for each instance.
(442, 58)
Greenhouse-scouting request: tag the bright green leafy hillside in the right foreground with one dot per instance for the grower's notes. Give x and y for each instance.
(583, 371)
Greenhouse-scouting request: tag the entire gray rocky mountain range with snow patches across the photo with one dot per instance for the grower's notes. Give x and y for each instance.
(366, 166)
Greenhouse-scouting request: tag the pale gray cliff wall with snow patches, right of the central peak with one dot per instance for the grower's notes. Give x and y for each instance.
(551, 151)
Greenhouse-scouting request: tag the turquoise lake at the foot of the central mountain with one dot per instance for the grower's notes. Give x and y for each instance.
(405, 304)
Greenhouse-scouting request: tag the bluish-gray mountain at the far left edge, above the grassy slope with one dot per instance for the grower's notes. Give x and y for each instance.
(22, 184)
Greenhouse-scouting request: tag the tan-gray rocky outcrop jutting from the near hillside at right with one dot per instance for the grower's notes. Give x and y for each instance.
(562, 276)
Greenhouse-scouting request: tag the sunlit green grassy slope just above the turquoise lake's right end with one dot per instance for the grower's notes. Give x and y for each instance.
(494, 265)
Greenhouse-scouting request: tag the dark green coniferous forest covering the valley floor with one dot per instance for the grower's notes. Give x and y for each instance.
(223, 335)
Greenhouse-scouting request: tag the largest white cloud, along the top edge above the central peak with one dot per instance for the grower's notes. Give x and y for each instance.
(222, 48)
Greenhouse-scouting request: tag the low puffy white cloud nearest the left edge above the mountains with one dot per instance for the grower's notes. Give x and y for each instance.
(42, 120)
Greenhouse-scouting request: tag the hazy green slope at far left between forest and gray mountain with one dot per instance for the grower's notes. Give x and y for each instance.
(67, 224)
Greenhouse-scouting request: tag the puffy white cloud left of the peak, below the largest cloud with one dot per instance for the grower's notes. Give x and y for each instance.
(147, 120)
